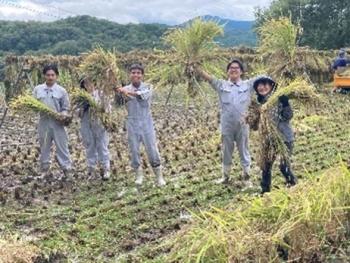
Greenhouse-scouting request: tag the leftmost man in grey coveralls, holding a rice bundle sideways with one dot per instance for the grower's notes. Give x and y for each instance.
(49, 129)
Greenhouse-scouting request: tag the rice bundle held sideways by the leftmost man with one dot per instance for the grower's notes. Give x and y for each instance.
(26, 102)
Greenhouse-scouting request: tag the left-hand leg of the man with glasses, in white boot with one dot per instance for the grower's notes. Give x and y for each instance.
(227, 141)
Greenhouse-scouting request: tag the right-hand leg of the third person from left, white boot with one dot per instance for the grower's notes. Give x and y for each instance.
(150, 142)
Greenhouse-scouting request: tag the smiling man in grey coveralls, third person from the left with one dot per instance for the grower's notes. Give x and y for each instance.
(140, 125)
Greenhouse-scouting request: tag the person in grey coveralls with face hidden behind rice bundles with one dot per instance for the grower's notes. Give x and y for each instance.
(94, 135)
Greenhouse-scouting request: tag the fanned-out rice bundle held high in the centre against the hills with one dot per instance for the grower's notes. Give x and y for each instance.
(193, 44)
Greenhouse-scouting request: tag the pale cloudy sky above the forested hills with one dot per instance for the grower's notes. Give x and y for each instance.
(129, 11)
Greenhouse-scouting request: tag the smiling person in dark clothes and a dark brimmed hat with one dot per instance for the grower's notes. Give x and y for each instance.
(281, 115)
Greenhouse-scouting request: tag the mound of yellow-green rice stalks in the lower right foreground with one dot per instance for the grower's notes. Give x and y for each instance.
(300, 224)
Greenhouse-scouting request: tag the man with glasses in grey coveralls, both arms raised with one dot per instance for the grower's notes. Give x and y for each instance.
(234, 95)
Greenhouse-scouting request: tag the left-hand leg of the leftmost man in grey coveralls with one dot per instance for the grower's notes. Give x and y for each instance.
(45, 141)
